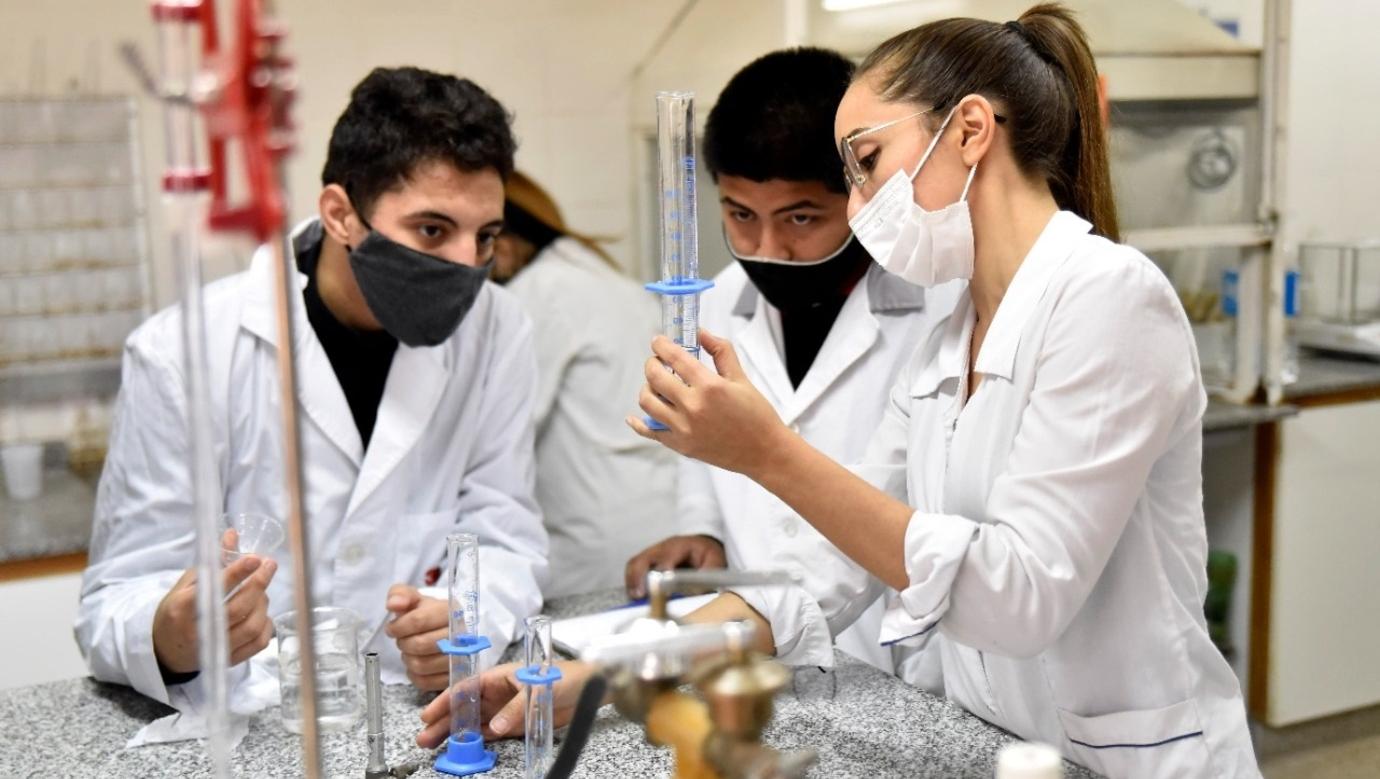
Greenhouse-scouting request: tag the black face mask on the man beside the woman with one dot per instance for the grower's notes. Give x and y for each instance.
(801, 287)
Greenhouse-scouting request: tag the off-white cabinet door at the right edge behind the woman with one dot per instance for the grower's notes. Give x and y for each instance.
(1324, 617)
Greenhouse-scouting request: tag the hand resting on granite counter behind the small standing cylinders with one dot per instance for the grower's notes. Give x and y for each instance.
(502, 706)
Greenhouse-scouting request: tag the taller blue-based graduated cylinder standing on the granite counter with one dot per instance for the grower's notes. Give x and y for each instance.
(466, 752)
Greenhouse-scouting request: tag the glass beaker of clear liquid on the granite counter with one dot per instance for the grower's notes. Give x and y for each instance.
(340, 701)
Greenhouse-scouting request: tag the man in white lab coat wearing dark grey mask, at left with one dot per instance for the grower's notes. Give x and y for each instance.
(416, 389)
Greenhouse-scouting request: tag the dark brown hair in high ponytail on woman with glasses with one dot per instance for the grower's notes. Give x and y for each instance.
(1041, 71)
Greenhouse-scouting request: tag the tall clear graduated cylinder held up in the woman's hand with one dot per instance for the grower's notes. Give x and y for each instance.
(681, 284)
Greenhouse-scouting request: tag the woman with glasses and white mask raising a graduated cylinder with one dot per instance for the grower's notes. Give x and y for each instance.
(1049, 437)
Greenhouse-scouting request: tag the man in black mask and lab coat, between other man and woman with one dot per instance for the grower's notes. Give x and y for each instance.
(822, 329)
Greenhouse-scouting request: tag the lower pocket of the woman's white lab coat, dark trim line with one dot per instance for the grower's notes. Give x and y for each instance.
(1149, 742)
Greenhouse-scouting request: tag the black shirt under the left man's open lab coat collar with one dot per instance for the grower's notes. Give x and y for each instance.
(361, 358)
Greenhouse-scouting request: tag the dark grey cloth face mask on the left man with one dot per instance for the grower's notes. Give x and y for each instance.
(419, 299)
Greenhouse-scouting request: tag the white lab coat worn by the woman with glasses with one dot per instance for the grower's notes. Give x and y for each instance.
(1059, 542)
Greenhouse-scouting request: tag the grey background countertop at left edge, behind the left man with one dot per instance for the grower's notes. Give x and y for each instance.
(57, 523)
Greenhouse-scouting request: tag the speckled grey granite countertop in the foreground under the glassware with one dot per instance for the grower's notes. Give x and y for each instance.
(874, 727)
